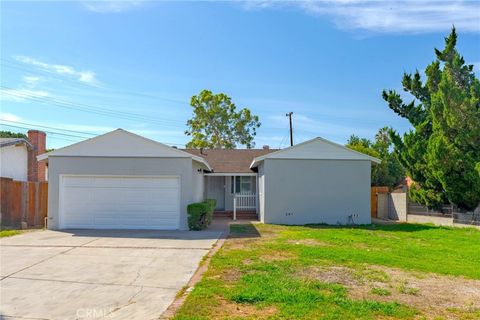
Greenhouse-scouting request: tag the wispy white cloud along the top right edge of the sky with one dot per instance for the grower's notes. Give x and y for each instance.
(415, 16)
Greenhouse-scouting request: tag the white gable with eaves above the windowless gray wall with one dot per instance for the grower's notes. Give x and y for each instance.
(317, 148)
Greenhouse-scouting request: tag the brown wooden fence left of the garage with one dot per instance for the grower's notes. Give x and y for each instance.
(23, 202)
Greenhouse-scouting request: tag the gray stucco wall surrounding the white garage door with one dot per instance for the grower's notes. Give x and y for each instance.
(181, 167)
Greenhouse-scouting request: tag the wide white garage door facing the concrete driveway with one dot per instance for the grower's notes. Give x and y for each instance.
(119, 202)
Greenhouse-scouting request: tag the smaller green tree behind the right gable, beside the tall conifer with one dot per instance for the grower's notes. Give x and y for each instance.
(389, 172)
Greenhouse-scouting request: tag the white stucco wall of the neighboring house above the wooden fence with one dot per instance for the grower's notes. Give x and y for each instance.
(14, 162)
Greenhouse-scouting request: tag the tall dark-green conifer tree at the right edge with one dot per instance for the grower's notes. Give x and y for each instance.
(442, 150)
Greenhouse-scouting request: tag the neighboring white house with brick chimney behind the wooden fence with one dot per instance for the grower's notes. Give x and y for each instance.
(18, 157)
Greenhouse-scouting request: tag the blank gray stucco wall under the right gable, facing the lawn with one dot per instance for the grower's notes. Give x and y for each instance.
(316, 191)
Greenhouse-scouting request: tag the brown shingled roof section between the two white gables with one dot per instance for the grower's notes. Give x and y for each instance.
(230, 161)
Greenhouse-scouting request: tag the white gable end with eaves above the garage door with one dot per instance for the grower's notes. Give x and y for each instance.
(121, 143)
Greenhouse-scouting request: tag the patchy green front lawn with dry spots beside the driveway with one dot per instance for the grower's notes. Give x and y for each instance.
(319, 272)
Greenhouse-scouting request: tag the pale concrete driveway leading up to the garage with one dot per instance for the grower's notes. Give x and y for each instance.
(86, 274)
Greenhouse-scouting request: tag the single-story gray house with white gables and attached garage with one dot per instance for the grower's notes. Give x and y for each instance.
(121, 180)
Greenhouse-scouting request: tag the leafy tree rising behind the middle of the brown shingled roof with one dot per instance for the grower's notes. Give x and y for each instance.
(217, 124)
